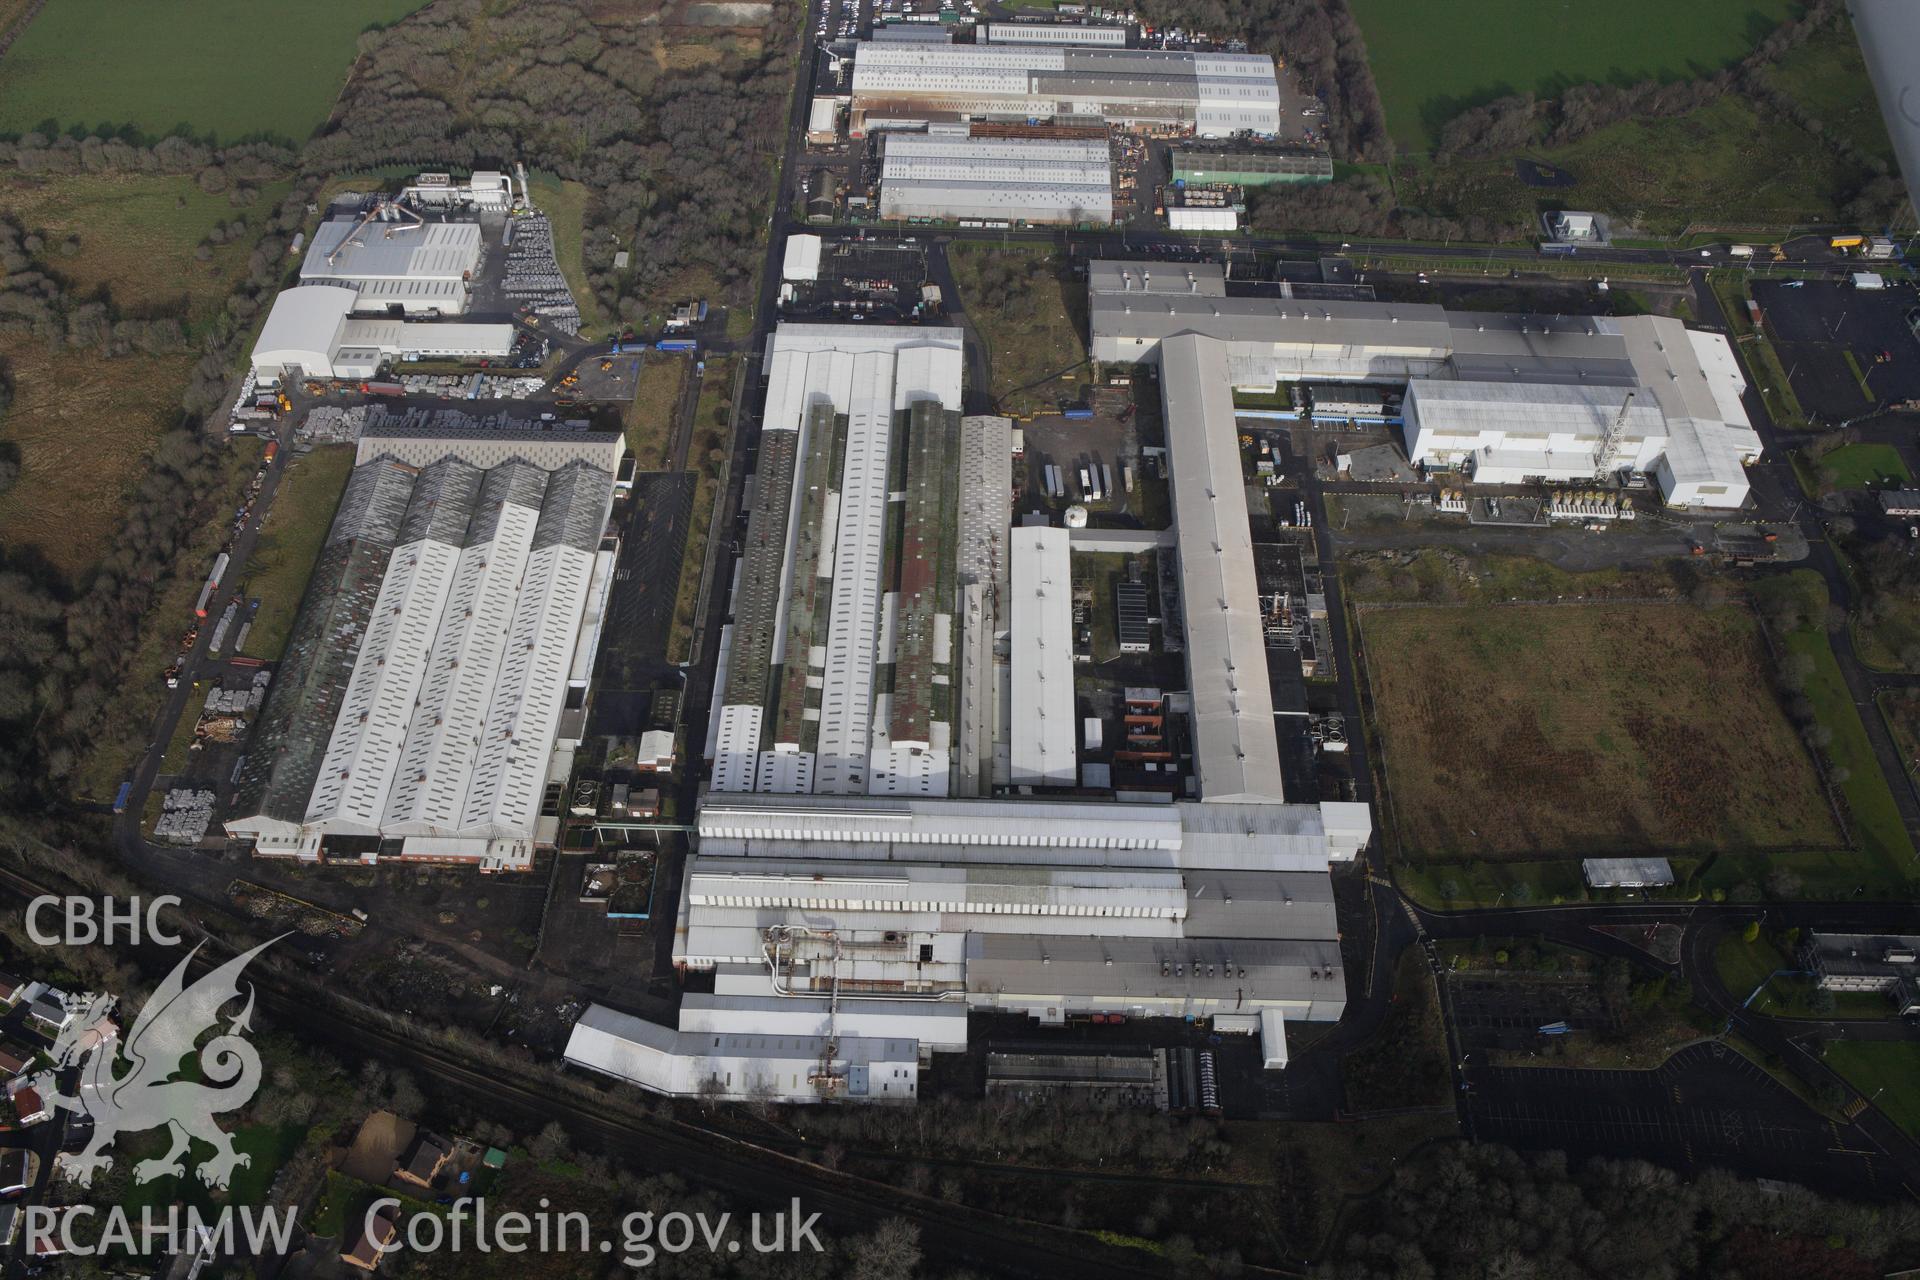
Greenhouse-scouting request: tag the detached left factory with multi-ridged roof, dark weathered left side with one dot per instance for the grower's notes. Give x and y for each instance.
(435, 682)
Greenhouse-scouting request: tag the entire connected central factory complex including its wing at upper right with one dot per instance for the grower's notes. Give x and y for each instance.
(900, 832)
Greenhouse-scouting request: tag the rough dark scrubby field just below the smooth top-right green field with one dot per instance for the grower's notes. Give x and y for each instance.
(1721, 164)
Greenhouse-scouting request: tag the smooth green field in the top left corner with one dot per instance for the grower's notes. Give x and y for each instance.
(216, 68)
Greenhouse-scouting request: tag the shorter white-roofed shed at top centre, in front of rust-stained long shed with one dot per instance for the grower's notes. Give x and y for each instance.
(953, 178)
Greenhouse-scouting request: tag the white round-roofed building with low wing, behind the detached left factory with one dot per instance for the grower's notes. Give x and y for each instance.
(314, 331)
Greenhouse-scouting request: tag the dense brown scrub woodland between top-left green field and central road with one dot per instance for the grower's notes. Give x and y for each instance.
(679, 160)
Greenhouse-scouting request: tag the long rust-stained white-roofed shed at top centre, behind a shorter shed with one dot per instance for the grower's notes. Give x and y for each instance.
(915, 83)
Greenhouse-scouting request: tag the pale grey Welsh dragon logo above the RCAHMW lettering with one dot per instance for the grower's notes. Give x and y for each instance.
(149, 1093)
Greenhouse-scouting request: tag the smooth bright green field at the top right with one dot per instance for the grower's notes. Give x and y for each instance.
(1437, 60)
